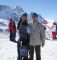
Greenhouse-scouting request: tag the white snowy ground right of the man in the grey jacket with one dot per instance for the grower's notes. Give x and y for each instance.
(49, 52)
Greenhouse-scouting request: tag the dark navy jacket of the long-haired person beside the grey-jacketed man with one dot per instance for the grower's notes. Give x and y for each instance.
(24, 36)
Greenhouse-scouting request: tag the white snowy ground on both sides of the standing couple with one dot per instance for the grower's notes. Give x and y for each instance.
(8, 50)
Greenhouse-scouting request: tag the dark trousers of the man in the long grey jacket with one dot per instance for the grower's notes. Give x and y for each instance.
(37, 50)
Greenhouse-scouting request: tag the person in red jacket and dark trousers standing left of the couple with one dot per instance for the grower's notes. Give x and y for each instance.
(12, 29)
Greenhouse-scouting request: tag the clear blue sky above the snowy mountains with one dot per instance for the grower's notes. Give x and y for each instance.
(46, 8)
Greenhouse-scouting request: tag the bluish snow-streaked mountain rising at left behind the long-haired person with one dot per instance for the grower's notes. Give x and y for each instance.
(7, 12)
